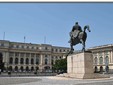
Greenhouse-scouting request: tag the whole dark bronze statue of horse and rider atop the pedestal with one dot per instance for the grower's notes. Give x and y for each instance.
(77, 35)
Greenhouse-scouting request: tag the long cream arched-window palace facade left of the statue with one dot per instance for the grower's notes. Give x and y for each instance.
(19, 56)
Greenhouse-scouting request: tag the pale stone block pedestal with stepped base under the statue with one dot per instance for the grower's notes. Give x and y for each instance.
(80, 65)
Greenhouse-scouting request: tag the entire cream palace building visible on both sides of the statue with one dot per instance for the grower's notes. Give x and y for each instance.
(22, 57)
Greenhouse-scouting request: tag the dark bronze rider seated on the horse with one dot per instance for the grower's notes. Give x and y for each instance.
(75, 31)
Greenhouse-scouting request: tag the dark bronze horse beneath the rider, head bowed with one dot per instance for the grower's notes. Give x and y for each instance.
(81, 38)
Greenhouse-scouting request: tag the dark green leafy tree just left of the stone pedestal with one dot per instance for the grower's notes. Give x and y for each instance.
(60, 65)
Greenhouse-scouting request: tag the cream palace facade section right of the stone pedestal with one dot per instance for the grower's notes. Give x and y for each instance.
(103, 58)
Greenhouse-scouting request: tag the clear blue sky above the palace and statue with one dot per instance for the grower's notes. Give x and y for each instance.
(50, 23)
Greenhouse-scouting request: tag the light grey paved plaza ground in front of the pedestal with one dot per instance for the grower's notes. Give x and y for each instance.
(53, 80)
